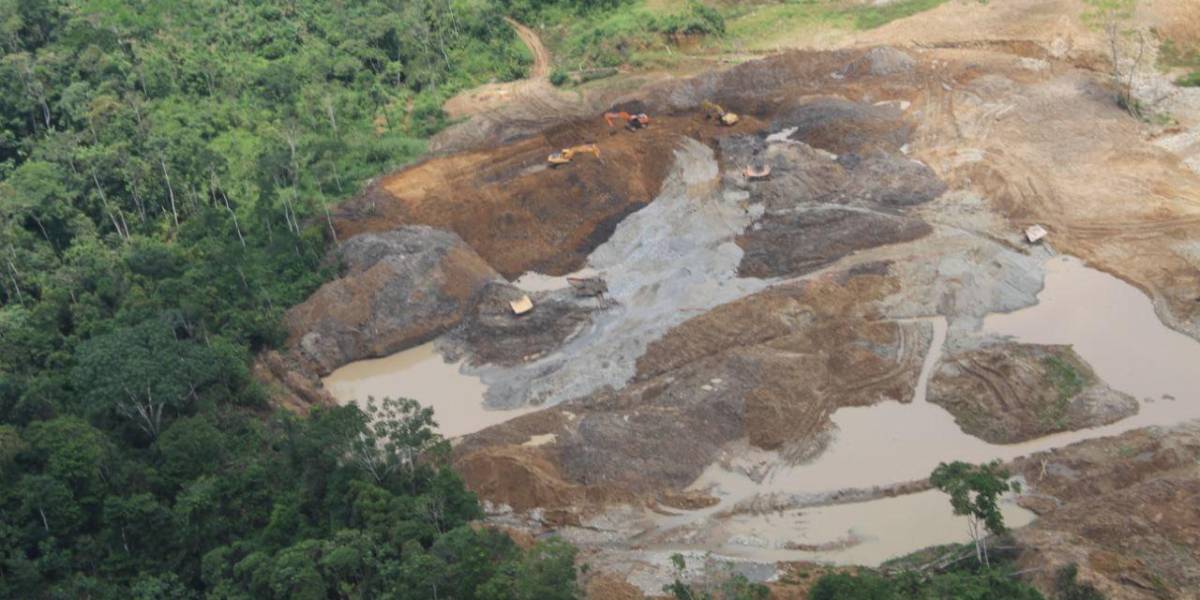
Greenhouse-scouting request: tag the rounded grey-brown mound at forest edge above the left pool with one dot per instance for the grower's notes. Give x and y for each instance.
(399, 289)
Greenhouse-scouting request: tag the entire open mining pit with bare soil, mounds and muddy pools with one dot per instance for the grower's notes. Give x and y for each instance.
(778, 364)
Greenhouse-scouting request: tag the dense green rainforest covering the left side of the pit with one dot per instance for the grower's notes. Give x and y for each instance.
(165, 169)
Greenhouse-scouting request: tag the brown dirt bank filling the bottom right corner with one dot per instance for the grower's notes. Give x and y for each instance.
(1121, 508)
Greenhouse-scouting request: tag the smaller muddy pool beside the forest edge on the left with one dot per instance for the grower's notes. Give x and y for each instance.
(422, 375)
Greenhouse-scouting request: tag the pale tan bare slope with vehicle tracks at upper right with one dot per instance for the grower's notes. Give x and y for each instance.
(1019, 139)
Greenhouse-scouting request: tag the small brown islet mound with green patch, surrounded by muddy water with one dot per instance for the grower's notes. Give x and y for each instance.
(1012, 393)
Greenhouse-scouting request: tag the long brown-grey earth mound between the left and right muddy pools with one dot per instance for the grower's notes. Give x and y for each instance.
(771, 368)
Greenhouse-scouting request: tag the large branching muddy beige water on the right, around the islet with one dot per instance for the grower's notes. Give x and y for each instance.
(1108, 322)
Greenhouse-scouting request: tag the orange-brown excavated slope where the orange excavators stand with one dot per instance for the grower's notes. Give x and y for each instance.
(515, 212)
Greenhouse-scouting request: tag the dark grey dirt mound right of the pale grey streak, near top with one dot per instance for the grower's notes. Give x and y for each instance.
(819, 207)
